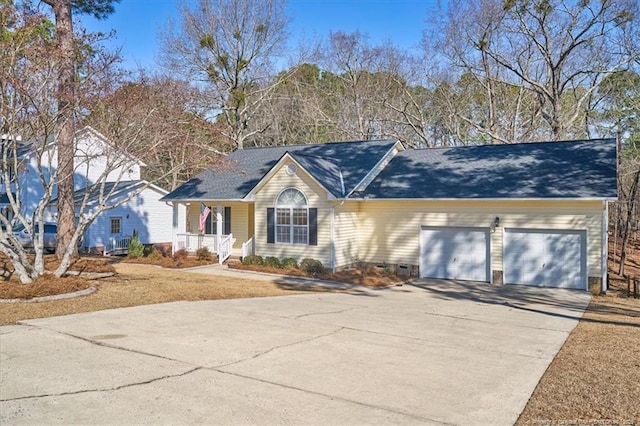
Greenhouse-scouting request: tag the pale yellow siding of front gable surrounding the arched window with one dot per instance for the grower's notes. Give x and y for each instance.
(265, 198)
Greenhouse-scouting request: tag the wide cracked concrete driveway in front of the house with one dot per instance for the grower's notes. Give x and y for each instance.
(435, 352)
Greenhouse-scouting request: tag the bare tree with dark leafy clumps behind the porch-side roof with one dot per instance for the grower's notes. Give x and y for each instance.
(230, 46)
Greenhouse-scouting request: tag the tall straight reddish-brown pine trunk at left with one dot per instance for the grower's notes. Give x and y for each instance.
(66, 128)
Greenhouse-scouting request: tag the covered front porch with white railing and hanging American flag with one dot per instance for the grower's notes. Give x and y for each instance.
(225, 228)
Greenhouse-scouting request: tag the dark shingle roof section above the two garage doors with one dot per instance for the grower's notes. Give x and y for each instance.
(572, 169)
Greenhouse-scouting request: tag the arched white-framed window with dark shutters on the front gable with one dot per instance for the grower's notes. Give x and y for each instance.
(292, 221)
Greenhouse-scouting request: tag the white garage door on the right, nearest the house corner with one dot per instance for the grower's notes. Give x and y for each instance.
(548, 258)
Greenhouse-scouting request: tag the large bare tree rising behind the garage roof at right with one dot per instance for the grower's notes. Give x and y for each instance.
(557, 51)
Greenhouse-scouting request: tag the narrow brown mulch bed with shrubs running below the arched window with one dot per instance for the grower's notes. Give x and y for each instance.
(369, 277)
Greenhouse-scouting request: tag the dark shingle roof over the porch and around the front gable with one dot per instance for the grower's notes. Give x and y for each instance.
(246, 167)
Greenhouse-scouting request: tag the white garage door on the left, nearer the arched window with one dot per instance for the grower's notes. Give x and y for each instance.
(454, 253)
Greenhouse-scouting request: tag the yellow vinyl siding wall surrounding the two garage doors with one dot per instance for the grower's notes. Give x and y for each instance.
(389, 230)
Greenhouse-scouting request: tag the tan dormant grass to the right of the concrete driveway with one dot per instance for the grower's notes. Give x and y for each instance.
(596, 375)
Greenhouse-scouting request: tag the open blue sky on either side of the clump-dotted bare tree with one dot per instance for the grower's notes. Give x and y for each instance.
(137, 23)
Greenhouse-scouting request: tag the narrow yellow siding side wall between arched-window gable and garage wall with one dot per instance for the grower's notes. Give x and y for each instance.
(346, 233)
